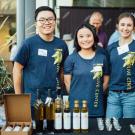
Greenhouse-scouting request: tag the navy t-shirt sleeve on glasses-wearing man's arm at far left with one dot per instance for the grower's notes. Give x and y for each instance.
(22, 54)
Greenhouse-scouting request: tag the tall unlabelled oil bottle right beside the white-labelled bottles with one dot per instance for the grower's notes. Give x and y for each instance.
(50, 108)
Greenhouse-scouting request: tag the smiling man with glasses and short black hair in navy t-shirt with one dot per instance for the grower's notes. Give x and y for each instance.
(39, 61)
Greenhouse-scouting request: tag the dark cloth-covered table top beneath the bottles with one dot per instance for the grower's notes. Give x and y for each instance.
(93, 129)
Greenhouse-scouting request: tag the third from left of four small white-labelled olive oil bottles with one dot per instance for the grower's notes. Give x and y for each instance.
(76, 117)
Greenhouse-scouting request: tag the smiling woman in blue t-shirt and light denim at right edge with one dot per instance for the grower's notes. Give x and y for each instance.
(121, 99)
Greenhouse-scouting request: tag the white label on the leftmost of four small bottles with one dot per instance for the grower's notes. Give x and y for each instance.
(58, 120)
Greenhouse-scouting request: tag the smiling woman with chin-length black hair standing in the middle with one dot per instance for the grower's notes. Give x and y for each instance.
(86, 71)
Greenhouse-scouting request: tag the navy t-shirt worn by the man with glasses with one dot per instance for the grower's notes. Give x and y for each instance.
(40, 71)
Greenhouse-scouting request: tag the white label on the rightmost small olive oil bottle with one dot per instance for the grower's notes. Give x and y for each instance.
(84, 120)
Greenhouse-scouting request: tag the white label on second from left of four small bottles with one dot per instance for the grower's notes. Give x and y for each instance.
(67, 120)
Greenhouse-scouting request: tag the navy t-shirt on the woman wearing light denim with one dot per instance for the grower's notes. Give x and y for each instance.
(121, 77)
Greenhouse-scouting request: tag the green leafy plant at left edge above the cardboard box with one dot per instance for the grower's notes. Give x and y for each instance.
(6, 83)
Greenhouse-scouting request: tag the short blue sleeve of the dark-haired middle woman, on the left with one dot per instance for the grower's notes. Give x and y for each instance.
(68, 65)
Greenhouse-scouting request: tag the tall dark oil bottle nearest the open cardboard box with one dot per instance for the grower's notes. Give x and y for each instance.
(39, 113)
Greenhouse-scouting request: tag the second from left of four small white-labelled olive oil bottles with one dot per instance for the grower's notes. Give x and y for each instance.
(67, 118)
